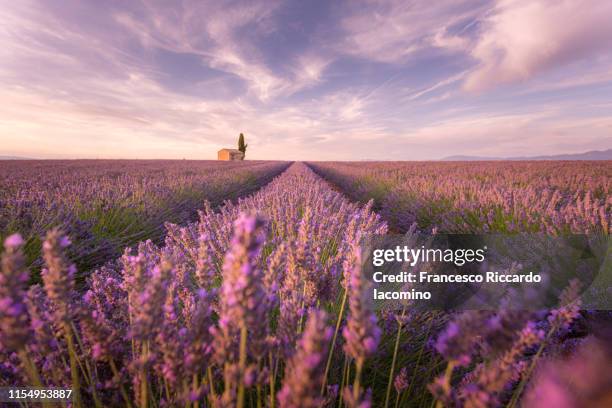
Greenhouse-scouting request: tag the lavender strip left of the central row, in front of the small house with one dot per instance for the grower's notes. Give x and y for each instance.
(107, 205)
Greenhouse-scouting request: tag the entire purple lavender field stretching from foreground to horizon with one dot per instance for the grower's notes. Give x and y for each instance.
(261, 301)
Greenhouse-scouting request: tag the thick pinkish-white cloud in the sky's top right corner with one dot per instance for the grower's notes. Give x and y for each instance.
(521, 39)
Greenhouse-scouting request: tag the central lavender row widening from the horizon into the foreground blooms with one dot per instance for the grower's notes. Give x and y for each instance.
(263, 304)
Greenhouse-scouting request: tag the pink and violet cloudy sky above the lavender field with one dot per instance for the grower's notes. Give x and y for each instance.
(304, 80)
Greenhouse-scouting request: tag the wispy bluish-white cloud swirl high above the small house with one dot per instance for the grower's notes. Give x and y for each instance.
(225, 35)
